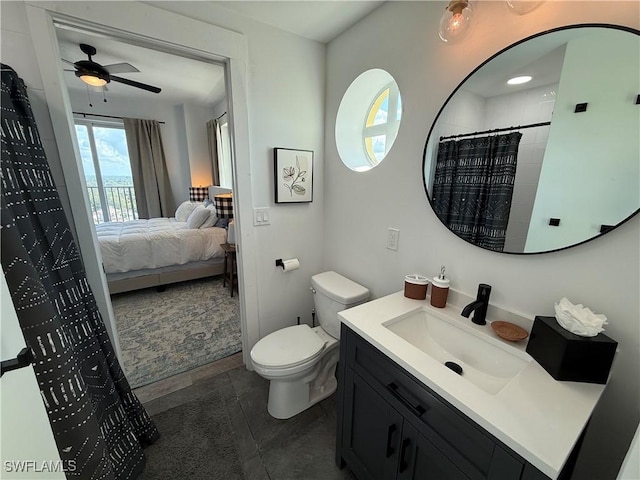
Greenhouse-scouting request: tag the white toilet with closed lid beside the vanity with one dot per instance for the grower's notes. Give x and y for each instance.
(301, 361)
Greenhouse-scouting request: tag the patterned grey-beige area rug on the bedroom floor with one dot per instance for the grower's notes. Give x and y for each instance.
(165, 333)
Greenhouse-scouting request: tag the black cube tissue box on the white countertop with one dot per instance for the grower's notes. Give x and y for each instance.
(567, 356)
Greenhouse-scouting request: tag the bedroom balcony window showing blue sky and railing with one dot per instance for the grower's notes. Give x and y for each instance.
(107, 171)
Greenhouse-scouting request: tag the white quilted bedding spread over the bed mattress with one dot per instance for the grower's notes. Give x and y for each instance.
(156, 242)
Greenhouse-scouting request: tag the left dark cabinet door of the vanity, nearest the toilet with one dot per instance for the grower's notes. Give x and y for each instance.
(371, 431)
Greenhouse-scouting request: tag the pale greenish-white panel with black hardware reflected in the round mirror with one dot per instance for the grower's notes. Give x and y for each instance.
(575, 149)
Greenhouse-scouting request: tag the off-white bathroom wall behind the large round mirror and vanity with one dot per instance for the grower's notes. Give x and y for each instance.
(360, 207)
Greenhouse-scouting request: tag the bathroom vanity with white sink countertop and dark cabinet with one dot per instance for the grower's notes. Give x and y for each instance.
(403, 414)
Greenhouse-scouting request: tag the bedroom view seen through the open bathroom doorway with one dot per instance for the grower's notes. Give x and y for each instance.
(192, 320)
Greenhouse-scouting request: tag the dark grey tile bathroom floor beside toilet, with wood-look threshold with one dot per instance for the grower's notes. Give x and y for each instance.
(300, 448)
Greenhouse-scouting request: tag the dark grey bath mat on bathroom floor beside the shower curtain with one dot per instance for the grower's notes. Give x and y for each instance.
(196, 442)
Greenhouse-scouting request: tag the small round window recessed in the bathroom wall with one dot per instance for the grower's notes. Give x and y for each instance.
(368, 120)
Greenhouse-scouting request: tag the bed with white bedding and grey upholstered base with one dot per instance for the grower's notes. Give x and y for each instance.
(159, 251)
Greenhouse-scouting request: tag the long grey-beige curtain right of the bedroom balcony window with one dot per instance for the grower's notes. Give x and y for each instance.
(148, 168)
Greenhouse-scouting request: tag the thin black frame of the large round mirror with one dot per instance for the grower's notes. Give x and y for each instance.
(435, 121)
